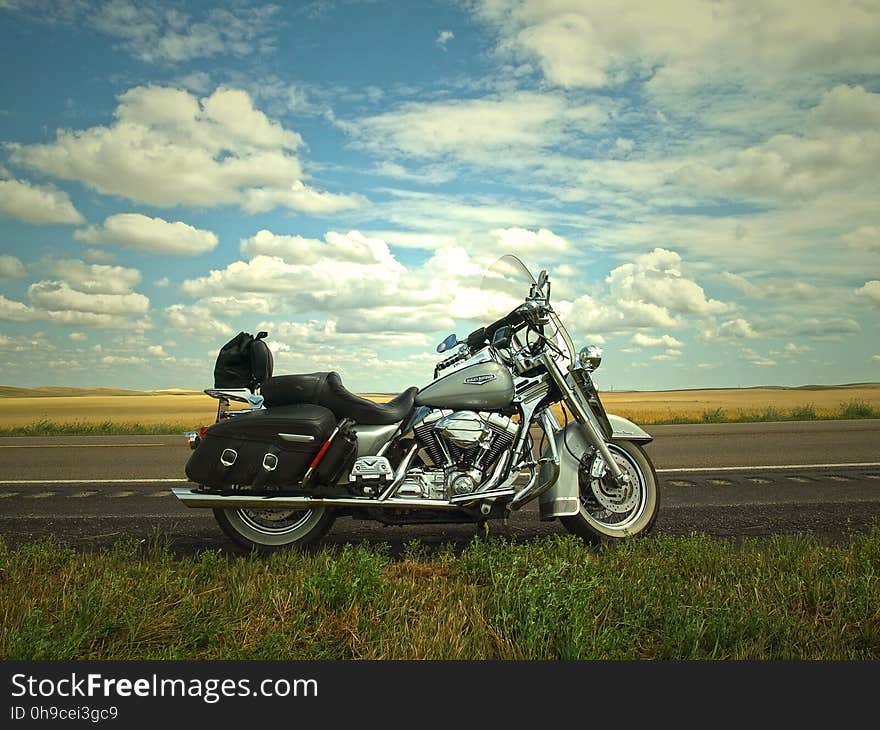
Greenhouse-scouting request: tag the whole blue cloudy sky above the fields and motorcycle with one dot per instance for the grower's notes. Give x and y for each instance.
(700, 179)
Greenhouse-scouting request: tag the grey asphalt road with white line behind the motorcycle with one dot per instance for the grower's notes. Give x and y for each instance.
(727, 480)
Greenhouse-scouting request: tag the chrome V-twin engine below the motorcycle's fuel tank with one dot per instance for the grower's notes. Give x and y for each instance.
(462, 448)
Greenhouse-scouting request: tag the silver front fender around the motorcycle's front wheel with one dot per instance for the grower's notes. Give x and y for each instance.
(562, 499)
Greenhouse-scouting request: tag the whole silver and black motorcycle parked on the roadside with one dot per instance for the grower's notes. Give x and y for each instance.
(303, 450)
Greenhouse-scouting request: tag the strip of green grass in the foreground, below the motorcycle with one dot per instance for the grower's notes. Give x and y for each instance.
(664, 597)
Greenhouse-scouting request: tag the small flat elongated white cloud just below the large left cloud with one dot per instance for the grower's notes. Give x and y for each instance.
(154, 235)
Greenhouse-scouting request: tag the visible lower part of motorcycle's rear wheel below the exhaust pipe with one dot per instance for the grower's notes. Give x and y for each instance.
(267, 530)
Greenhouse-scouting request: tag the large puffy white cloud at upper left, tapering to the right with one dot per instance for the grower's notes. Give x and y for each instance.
(168, 148)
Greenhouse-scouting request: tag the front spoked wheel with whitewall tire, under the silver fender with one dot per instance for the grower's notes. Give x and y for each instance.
(607, 511)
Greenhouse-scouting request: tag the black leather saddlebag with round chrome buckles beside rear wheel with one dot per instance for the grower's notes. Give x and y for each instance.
(261, 448)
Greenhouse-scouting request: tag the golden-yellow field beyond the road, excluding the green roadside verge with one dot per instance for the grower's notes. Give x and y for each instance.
(190, 409)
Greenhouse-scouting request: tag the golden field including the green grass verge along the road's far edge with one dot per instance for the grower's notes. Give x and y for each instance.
(46, 411)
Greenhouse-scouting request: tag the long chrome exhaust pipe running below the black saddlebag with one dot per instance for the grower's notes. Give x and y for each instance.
(195, 498)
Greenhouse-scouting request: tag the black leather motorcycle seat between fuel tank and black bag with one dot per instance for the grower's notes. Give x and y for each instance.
(326, 389)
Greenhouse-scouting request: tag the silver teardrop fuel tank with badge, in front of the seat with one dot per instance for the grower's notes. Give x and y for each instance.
(482, 386)
